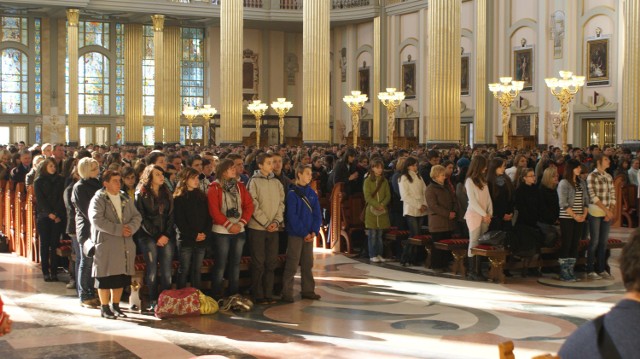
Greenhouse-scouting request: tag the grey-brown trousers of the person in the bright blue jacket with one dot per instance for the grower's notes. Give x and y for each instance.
(298, 252)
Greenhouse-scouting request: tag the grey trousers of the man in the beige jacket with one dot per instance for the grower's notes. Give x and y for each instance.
(264, 259)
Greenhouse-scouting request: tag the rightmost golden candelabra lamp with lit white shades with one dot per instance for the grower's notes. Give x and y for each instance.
(564, 90)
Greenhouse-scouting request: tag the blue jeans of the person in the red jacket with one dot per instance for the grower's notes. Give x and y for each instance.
(227, 250)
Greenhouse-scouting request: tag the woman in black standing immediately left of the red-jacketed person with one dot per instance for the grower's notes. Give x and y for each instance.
(193, 223)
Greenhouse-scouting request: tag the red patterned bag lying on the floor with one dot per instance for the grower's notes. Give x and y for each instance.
(178, 302)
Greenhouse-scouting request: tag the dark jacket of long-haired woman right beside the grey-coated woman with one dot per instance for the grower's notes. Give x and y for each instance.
(155, 223)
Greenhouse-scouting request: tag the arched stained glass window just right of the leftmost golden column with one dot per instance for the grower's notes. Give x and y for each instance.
(93, 88)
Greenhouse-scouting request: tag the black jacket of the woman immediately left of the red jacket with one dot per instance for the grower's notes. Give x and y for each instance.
(192, 217)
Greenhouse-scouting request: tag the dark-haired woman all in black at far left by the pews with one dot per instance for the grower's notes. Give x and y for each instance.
(50, 215)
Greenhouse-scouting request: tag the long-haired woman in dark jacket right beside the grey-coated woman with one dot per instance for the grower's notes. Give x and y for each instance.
(155, 204)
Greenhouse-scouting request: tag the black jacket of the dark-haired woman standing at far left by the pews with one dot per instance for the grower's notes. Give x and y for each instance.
(49, 196)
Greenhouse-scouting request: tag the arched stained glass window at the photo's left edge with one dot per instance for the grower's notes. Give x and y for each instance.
(14, 86)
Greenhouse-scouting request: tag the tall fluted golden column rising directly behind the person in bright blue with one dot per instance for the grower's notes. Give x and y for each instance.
(315, 72)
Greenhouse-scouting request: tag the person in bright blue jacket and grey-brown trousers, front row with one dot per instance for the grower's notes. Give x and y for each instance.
(303, 219)
